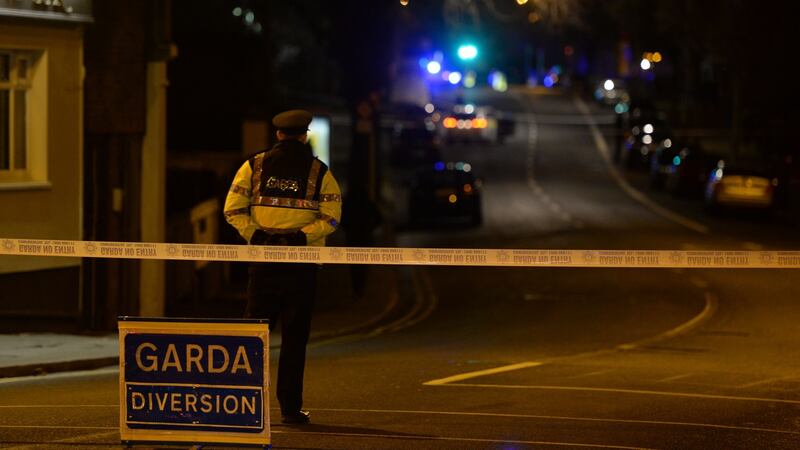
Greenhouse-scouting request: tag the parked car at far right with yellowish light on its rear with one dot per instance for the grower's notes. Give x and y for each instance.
(742, 186)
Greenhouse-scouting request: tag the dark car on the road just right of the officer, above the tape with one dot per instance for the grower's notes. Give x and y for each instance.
(445, 194)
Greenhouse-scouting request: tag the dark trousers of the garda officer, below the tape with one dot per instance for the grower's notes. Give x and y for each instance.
(284, 293)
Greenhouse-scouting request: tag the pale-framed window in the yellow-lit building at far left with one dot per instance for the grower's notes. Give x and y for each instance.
(20, 100)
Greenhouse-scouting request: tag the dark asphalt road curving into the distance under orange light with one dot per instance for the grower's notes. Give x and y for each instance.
(534, 358)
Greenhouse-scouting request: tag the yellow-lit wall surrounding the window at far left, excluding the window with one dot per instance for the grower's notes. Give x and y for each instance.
(50, 207)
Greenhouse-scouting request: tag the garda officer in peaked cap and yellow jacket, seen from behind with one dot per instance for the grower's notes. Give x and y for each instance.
(285, 196)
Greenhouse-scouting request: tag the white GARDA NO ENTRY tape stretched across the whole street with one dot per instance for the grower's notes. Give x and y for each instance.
(408, 256)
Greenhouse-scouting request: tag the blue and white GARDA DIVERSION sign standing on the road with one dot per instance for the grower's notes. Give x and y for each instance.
(194, 381)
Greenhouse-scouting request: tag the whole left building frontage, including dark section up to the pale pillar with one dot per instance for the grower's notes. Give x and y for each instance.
(82, 151)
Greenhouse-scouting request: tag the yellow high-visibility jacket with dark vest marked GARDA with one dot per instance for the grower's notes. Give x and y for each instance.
(284, 190)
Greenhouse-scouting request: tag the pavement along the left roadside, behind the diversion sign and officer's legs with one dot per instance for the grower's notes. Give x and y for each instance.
(338, 314)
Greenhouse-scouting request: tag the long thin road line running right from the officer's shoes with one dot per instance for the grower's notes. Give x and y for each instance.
(565, 418)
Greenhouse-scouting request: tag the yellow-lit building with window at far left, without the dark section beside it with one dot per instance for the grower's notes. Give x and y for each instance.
(41, 152)
